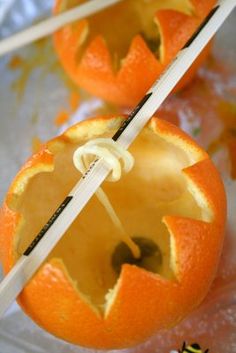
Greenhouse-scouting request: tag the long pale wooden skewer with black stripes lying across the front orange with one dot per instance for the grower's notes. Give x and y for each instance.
(51, 233)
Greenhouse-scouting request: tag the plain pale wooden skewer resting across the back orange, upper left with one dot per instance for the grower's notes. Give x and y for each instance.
(52, 24)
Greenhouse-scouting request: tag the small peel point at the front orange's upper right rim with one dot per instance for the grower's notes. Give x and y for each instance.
(205, 185)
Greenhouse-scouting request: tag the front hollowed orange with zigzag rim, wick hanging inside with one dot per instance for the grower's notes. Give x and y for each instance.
(173, 201)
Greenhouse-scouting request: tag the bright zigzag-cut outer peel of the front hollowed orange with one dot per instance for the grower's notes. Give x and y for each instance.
(145, 302)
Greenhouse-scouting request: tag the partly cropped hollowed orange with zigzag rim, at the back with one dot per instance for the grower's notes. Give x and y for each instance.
(118, 53)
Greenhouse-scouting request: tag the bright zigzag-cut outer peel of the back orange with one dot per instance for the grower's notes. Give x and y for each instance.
(140, 68)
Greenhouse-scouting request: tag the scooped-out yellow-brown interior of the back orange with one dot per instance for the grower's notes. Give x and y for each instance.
(120, 23)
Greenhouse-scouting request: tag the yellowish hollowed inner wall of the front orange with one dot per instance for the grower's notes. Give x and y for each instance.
(155, 187)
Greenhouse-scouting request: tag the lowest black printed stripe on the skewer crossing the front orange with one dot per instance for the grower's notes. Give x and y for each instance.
(43, 231)
